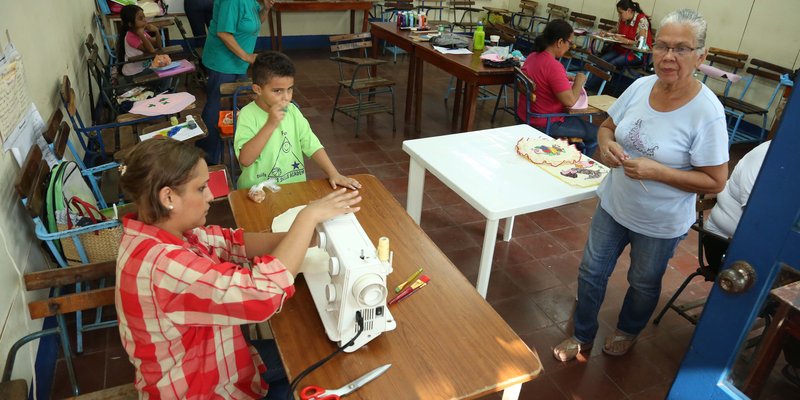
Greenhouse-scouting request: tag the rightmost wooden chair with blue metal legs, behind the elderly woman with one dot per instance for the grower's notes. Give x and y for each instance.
(737, 108)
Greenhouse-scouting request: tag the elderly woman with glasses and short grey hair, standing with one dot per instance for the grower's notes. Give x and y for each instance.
(665, 140)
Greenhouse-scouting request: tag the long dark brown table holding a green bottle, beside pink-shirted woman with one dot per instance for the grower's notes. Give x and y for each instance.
(468, 70)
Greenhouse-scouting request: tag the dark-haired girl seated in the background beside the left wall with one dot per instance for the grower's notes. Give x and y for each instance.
(137, 37)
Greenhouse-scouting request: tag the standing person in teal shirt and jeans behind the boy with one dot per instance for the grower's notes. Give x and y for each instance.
(228, 52)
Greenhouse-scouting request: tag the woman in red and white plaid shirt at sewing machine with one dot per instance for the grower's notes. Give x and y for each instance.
(184, 288)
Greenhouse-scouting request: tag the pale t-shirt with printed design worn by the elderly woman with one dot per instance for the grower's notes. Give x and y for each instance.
(694, 135)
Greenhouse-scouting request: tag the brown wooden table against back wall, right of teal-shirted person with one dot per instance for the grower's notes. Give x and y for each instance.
(281, 6)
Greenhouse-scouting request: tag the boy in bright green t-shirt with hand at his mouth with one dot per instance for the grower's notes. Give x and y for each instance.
(272, 136)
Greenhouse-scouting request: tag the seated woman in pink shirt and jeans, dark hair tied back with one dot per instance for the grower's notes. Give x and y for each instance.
(554, 91)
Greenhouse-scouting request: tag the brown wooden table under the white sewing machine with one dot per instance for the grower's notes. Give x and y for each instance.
(449, 343)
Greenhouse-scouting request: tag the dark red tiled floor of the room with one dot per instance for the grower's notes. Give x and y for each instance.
(534, 275)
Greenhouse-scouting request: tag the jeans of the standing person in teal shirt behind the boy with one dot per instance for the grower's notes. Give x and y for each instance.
(211, 143)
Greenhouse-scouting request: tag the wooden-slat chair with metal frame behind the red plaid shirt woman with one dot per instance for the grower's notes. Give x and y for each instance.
(61, 305)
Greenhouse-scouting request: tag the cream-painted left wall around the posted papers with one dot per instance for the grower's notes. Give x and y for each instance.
(48, 35)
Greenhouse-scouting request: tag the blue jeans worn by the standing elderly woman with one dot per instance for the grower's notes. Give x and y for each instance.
(649, 257)
